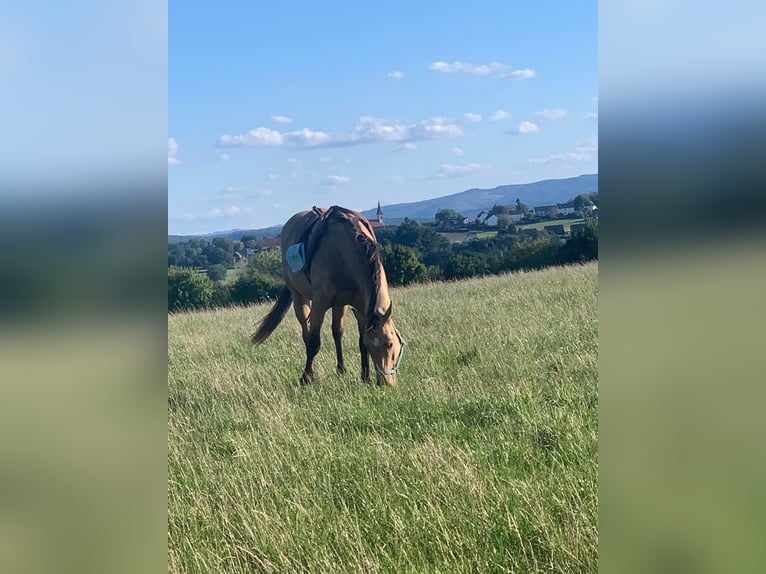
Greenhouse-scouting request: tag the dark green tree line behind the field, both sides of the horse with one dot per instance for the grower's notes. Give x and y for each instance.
(411, 253)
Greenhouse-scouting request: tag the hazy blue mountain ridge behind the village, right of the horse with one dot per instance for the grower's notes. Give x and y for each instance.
(472, 201)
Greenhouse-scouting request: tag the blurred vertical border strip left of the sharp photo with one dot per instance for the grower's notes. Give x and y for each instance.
(83, 224)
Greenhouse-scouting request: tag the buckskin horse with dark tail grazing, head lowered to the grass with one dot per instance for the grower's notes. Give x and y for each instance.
(341, 266)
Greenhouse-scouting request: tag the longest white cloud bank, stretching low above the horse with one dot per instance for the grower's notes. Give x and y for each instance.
(367, 129)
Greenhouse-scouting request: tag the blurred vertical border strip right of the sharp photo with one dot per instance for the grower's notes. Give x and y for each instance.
(681, 279)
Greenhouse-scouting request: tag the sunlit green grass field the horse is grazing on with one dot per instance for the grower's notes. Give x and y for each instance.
(482, 459)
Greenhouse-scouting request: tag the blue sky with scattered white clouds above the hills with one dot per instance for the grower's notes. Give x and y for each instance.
(274, 107)
